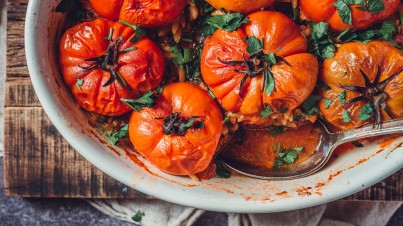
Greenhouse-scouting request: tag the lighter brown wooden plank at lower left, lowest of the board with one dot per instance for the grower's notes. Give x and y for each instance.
(40, 163)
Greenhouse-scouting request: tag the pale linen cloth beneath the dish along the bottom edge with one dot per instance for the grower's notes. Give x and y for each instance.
(338, 213)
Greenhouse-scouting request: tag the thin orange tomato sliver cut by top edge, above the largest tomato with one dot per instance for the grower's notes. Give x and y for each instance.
(242, 6)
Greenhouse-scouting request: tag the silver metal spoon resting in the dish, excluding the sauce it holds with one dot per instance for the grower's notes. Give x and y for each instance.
(327, 144)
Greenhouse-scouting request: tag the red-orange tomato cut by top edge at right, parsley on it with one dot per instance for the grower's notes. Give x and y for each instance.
(325, 11)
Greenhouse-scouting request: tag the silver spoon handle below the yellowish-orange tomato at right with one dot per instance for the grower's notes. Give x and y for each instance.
(390, 127)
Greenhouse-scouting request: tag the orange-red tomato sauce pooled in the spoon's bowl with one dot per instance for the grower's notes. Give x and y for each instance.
(256, 147)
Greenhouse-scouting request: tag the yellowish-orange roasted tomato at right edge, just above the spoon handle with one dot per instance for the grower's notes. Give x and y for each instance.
(366, 84)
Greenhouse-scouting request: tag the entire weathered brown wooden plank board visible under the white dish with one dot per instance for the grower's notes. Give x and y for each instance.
(40, 163)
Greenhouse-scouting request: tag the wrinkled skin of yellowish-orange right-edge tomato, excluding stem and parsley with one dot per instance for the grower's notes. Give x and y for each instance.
(344, 69)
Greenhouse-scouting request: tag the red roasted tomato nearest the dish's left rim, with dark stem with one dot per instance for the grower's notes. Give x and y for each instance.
(101, 65)
